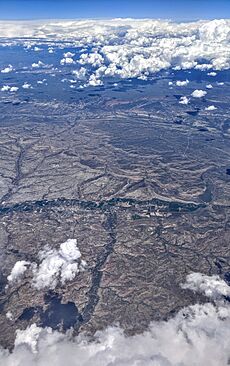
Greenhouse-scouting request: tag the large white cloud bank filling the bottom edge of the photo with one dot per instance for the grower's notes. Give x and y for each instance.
(197, 335)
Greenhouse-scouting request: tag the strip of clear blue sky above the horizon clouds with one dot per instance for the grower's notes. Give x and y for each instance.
(173, 9)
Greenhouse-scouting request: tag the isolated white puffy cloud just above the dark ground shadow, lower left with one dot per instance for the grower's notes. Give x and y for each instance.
(55, 265)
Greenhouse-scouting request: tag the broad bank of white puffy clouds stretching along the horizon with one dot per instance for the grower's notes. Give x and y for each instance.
(134, 48)
